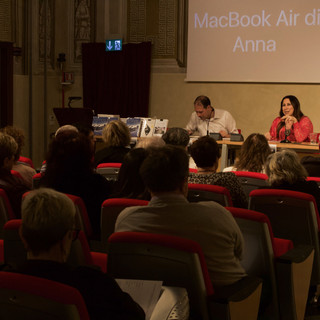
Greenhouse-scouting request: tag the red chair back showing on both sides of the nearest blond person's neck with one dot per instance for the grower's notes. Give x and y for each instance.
(15, 253)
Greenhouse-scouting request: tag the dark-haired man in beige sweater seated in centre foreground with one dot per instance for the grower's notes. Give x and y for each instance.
(165, 173)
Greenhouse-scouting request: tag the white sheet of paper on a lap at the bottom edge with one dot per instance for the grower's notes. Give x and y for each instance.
(145, 292)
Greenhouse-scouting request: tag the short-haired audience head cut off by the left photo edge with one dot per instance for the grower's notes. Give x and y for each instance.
(8, 150)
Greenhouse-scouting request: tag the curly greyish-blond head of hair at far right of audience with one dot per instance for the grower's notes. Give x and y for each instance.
(284, 167)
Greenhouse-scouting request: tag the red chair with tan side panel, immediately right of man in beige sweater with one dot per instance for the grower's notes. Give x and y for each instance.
(277, 263)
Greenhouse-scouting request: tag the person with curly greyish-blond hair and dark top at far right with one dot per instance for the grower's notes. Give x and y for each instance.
(285, 171)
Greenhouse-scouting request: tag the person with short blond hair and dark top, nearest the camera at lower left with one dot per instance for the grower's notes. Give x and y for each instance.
(48, 229)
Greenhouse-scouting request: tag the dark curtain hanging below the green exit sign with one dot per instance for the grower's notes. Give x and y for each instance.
(117, 82)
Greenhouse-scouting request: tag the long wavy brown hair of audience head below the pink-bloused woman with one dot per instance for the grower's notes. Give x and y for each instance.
(253, 153)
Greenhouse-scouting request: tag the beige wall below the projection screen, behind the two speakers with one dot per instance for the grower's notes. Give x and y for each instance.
(254, 106)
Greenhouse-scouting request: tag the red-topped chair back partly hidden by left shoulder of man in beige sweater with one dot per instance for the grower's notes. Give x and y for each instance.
(110, 209)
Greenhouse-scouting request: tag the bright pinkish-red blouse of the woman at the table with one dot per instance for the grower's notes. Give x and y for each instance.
(299, 131)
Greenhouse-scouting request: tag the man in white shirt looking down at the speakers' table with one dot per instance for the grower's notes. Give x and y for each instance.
(205, 119)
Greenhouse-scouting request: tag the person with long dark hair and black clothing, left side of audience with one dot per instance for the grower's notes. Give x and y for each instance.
(70, 170)
